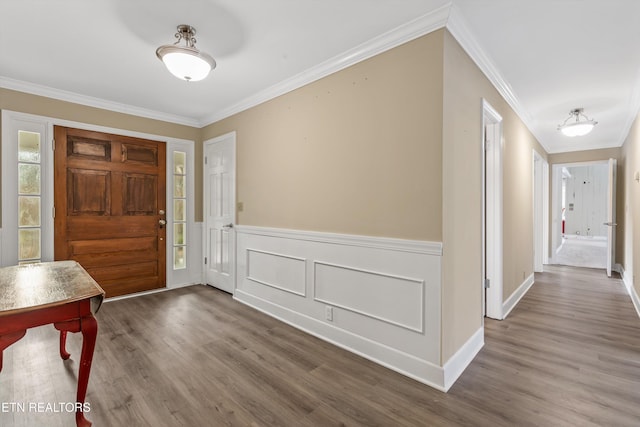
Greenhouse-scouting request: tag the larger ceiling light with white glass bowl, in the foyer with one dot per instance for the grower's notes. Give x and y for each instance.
(186, 62)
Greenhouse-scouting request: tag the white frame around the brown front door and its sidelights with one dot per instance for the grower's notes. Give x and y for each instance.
(9, 240)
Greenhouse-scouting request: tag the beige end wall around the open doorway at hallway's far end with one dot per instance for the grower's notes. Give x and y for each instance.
(592, 156)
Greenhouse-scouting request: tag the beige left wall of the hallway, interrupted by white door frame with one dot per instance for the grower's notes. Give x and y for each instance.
(464, 88)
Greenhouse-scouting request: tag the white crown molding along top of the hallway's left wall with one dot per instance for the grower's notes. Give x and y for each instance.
(459, 28)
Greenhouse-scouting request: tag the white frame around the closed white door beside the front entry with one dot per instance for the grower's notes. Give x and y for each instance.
(227, 138)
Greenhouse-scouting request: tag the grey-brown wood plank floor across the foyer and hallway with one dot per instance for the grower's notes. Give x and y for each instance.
(568, 355)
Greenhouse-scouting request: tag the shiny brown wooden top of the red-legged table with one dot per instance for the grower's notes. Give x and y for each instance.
(49, 284)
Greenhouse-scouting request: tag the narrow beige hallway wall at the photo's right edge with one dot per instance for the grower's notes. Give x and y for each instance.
(630, 155)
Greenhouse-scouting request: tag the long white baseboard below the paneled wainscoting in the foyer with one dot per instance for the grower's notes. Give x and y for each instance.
(412, 367)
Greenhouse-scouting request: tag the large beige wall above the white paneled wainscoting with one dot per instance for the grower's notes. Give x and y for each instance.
(357, 152)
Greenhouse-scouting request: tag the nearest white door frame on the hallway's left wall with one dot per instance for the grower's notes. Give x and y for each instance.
(492, 179)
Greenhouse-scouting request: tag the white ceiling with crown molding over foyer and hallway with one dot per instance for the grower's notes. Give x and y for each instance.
(545, 56)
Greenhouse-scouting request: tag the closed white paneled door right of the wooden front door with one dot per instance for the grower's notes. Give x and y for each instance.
(220, 212)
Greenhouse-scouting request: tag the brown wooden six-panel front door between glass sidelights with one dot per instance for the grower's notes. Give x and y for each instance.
(109, 195)
